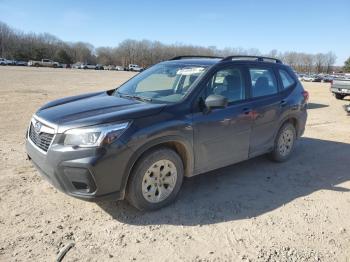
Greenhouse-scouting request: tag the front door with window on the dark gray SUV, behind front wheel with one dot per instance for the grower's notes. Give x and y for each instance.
(221, 136)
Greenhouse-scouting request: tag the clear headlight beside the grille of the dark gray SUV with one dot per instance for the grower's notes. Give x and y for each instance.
(94, 136)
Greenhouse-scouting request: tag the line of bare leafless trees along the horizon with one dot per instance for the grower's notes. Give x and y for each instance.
(18, 45)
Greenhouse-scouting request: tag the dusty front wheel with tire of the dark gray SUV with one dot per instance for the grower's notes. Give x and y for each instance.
(147, 188)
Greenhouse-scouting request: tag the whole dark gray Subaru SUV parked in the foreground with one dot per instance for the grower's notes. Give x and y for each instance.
(181, 117)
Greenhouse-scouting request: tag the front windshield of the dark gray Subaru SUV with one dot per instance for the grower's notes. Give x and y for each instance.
(167, 83)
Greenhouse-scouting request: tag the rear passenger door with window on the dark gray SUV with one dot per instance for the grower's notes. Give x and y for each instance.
(264, 93)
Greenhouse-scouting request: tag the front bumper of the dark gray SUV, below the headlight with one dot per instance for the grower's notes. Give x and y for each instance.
(85, 173)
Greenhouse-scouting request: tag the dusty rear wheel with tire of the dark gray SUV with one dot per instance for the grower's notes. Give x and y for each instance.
(284, 143)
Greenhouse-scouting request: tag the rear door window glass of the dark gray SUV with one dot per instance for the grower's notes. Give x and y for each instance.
(263, 82)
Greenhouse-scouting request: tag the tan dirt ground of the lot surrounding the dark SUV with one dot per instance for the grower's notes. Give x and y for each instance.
(253, 211)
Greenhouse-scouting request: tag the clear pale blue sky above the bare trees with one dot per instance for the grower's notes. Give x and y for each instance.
(310, 26)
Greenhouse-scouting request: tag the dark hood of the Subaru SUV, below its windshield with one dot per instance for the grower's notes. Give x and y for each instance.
(95, 108)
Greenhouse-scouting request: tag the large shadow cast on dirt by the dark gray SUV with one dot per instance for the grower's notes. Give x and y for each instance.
(248, 189)
